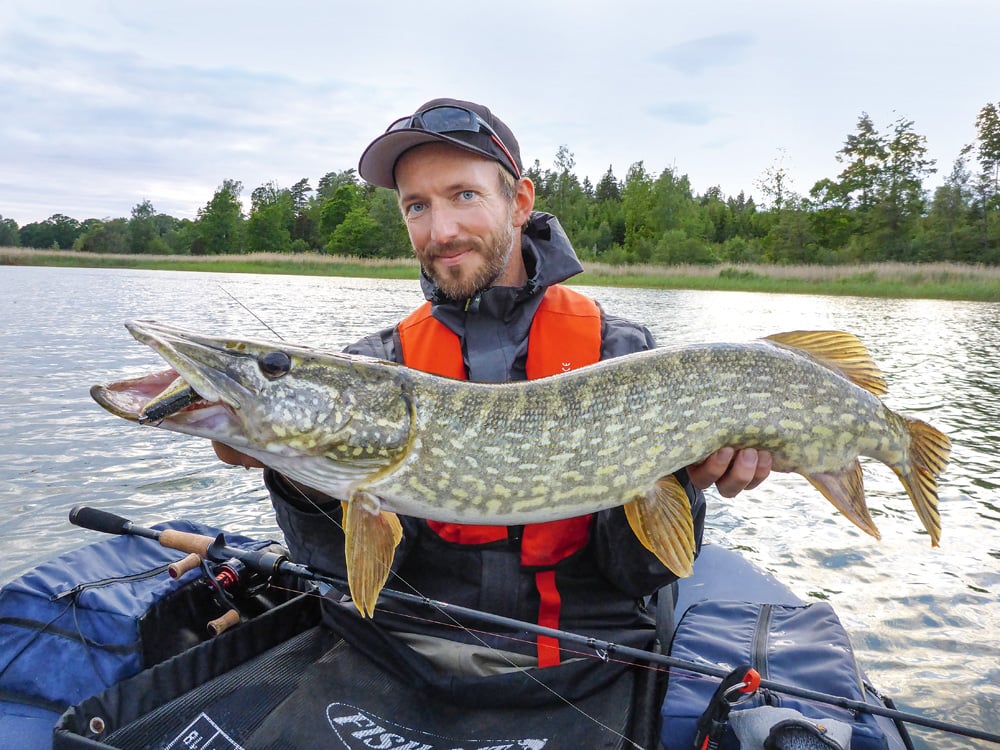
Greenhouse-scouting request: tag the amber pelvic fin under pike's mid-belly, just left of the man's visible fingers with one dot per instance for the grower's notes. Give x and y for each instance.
(661, 520)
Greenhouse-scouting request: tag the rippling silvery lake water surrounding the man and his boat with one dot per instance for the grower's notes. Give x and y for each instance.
(925, 622)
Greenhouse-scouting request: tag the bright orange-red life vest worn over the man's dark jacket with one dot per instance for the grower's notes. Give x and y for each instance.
(565, 334)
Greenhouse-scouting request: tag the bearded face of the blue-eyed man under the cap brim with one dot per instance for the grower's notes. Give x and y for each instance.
(462, 228)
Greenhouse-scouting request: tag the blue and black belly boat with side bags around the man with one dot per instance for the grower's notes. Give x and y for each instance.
(127, 643)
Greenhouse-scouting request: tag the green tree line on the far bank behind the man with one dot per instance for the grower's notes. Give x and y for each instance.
(875, 209)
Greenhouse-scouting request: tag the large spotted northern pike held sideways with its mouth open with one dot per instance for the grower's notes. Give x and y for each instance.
(387, 439)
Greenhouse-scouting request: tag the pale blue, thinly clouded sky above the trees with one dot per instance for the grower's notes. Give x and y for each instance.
(107, 103)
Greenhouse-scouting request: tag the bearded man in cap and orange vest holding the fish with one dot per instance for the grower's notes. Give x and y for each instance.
(491, 272)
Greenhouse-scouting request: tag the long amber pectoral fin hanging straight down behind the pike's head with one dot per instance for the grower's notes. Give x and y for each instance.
(370, 537)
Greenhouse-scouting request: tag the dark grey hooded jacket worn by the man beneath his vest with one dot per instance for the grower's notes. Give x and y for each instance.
(601, 586)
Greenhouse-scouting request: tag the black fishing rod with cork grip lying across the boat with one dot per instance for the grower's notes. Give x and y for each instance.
(271, 563)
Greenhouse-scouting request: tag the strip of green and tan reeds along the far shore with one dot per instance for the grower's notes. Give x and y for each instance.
(947, 281)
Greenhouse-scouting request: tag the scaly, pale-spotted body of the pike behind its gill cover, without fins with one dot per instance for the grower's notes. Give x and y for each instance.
(594, 438)
